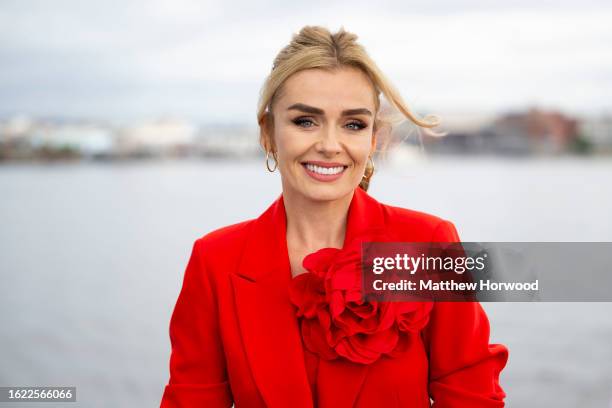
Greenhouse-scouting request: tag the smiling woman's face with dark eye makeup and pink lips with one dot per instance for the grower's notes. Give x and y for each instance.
(323, 122)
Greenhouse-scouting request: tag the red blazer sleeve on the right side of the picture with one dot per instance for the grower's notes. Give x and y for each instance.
(464, 368)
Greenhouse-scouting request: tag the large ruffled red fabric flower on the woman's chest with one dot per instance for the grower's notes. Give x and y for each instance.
(336, 323)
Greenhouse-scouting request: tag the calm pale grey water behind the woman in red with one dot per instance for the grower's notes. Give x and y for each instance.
(92, 257)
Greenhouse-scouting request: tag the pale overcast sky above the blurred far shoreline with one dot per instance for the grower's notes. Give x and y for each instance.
(206, 60)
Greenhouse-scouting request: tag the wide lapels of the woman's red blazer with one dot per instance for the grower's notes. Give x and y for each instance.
(266, 317)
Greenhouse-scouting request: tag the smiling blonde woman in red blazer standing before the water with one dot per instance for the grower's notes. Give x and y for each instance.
(256, 325)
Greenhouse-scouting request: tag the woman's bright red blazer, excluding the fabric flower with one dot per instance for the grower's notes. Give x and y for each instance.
(235, 337)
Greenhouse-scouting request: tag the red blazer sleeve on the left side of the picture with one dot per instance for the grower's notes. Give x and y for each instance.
(198, 374)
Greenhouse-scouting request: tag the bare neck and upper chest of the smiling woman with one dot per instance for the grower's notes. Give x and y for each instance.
(313, 225)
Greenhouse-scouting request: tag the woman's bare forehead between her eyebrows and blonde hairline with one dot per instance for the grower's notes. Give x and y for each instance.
(339, 89)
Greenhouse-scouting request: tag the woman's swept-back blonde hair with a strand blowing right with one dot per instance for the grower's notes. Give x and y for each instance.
(317, 47)
